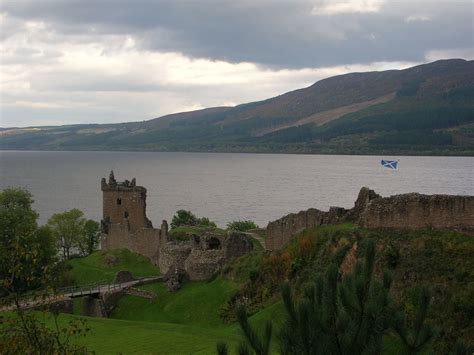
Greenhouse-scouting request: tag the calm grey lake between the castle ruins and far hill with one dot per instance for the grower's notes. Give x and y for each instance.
(226, 187)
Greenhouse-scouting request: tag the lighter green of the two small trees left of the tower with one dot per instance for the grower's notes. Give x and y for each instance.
(68, 230)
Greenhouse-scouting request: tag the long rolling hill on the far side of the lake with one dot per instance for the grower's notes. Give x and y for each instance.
(426, 109)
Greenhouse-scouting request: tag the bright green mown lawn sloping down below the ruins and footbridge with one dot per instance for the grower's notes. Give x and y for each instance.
(183, 322)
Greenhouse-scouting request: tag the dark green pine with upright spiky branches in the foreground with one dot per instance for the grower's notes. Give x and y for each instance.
(339, 317)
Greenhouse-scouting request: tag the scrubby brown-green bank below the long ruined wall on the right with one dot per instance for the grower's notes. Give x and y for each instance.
(440, 260)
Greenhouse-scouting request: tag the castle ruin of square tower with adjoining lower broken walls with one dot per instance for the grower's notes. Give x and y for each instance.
(125, 225)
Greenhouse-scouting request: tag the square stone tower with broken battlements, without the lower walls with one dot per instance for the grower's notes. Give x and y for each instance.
(124, 203)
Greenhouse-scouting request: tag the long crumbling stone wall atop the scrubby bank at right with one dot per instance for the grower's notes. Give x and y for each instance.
(411, 211)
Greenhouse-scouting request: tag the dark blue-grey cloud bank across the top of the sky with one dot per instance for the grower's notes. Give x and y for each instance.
(280, 34)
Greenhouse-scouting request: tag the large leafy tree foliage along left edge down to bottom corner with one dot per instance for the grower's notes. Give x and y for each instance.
(27, 262)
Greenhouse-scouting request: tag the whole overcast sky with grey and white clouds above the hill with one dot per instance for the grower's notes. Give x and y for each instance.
(103, 61)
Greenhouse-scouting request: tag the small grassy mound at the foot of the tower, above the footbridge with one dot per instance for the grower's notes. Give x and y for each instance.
(103, 265)
